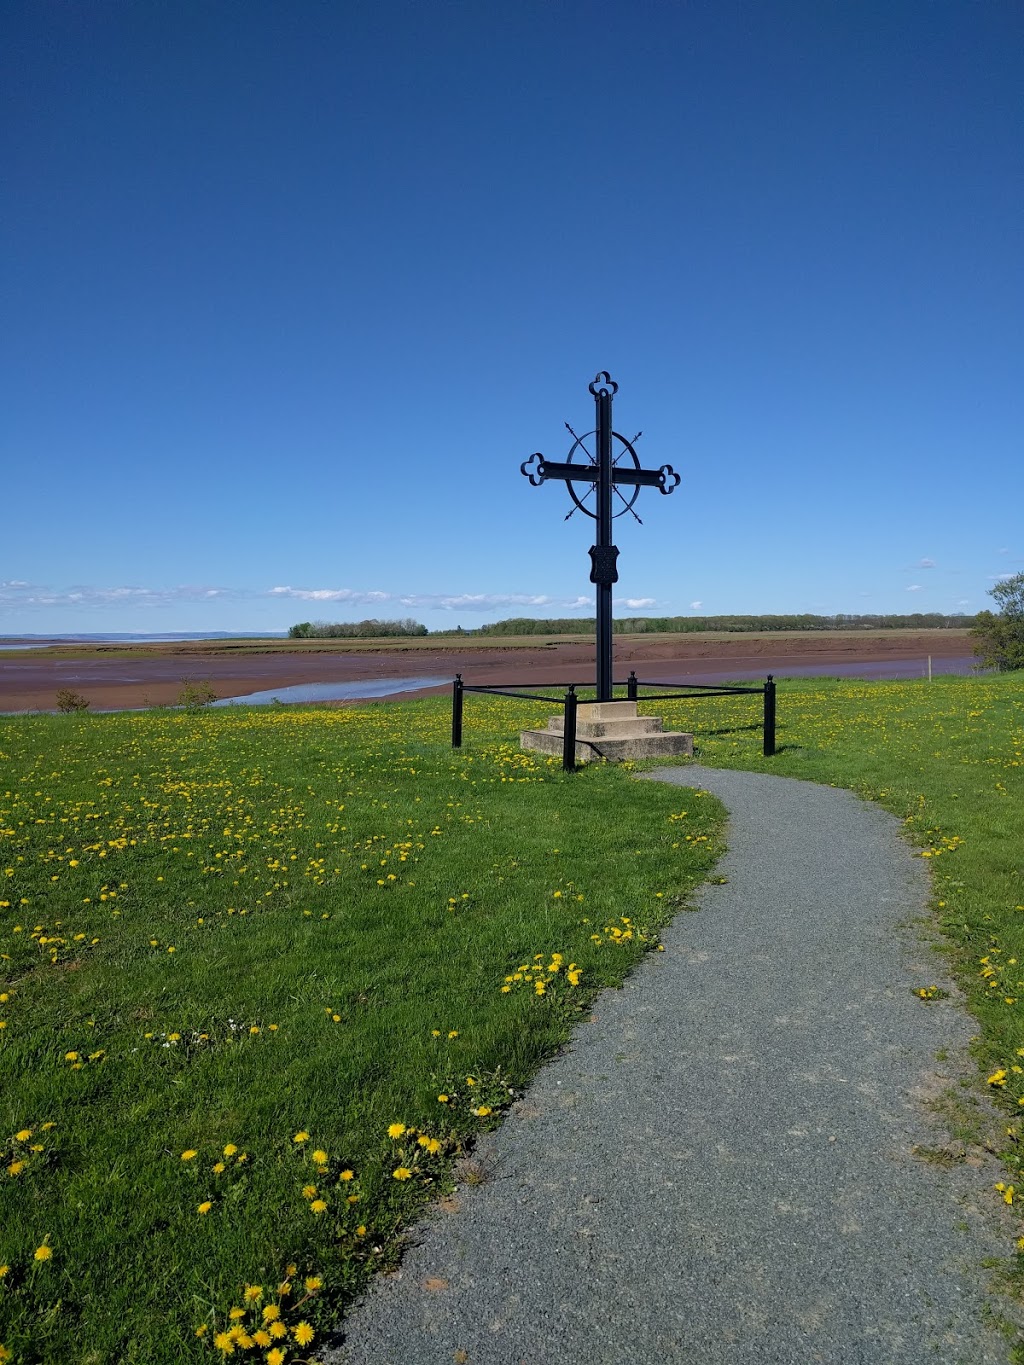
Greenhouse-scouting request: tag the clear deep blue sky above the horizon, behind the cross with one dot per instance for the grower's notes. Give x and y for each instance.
(291, 290)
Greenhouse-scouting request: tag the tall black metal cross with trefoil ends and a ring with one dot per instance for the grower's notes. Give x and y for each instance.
(606, 477)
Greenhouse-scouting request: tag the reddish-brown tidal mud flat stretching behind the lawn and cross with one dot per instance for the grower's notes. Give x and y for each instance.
(129, 682)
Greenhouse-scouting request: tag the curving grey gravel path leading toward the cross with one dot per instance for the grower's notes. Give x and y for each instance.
(719, 1169)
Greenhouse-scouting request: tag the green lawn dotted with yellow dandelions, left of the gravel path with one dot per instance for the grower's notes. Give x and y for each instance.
(222, 932)
